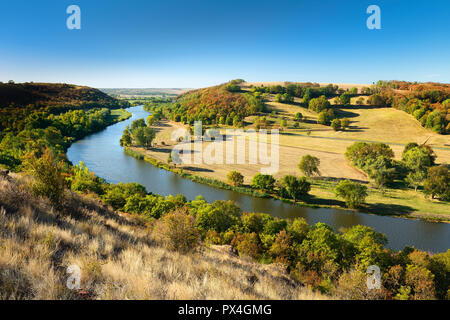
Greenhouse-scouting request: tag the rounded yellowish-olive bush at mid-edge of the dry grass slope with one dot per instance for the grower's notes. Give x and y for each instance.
(177, 231)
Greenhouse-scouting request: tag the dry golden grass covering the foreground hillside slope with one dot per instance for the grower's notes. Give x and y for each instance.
(118, 257)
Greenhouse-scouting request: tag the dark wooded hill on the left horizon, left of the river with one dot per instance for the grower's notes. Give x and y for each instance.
(40, 95)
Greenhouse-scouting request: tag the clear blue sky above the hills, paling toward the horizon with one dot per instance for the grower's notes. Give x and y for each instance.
(195, 43)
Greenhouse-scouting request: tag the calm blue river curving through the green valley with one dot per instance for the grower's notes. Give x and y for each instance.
(103, 155)
